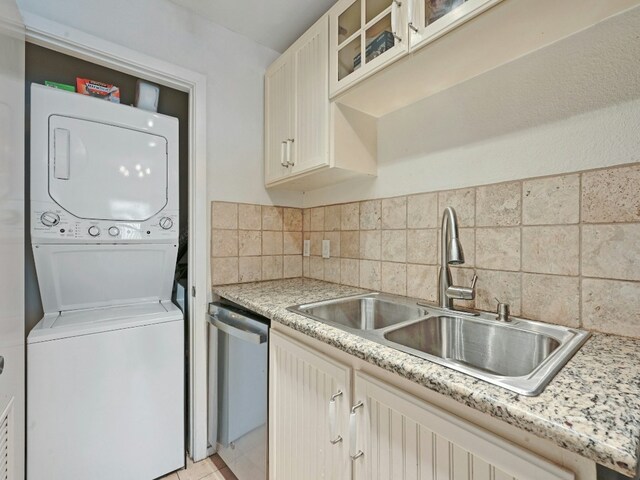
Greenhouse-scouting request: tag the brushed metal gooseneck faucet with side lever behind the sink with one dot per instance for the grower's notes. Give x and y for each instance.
(451, 254)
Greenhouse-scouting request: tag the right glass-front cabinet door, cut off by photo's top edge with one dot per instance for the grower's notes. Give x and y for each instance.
(430, 19)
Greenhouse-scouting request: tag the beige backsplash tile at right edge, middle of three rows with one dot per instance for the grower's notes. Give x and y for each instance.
(611, 251)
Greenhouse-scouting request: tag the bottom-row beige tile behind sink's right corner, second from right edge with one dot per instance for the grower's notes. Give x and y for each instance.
(551, 298)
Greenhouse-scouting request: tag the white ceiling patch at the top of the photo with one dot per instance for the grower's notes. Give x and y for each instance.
(273, 23)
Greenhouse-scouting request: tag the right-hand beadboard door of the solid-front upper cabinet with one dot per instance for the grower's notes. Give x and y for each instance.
(311, 145)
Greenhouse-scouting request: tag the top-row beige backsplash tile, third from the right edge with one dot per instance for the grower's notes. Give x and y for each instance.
(499, 205)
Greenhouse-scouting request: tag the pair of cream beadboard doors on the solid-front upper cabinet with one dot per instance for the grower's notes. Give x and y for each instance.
(297, 107)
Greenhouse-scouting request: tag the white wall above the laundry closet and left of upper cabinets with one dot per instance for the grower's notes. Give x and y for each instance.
(233, 64)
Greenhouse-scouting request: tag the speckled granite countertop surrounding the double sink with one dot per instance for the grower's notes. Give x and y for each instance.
(591, 407)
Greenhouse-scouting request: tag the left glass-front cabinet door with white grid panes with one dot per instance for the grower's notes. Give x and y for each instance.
(365, 35)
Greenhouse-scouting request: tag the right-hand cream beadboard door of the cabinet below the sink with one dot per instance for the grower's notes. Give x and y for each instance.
(404, 438)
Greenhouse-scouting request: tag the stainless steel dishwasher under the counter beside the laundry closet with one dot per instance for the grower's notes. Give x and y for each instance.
(242, 388)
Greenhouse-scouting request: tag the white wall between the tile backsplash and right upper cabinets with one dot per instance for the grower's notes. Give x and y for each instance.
(571, 106)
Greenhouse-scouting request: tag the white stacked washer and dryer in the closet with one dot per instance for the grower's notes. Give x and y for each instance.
(105, 388)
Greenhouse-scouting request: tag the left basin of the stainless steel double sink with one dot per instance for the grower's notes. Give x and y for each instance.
(362, 312)
